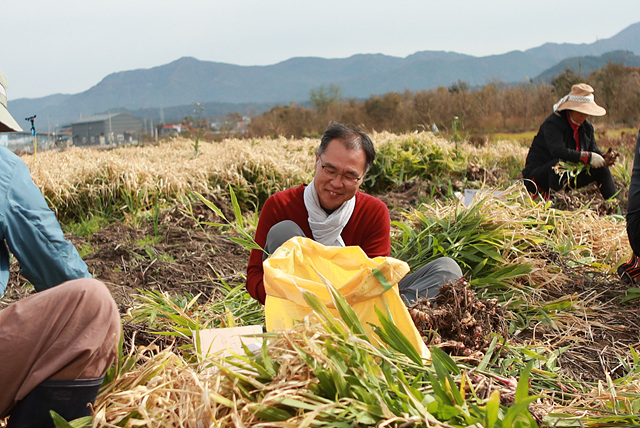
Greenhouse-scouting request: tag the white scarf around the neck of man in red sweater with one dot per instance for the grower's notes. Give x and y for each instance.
(326, 228)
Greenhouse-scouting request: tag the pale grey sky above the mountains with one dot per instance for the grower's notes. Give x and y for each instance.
(68, 46)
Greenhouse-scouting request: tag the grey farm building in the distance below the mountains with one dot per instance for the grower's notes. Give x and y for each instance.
(107, 129)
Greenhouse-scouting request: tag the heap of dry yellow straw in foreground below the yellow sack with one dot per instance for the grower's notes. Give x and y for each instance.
(166, 390)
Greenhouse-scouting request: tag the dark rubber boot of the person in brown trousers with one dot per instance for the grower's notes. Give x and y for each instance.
(68, 398)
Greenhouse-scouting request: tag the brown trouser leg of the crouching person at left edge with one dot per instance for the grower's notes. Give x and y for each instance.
(66, 332)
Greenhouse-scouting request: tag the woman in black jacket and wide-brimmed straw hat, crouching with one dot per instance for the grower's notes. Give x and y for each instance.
(567, 135)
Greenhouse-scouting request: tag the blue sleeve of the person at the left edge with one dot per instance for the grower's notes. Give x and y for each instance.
(33, 235)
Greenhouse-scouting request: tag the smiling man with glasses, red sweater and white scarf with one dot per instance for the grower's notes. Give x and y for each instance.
(332, 211)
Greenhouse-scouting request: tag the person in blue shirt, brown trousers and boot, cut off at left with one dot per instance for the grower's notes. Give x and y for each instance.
(57, 344)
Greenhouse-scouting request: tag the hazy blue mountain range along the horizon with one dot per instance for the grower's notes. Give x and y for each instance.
(167, 92)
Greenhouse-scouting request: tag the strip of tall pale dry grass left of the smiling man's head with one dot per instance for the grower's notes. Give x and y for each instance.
(78, 179)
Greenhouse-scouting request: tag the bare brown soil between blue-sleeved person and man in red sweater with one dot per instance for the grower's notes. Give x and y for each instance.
(181, 256)
